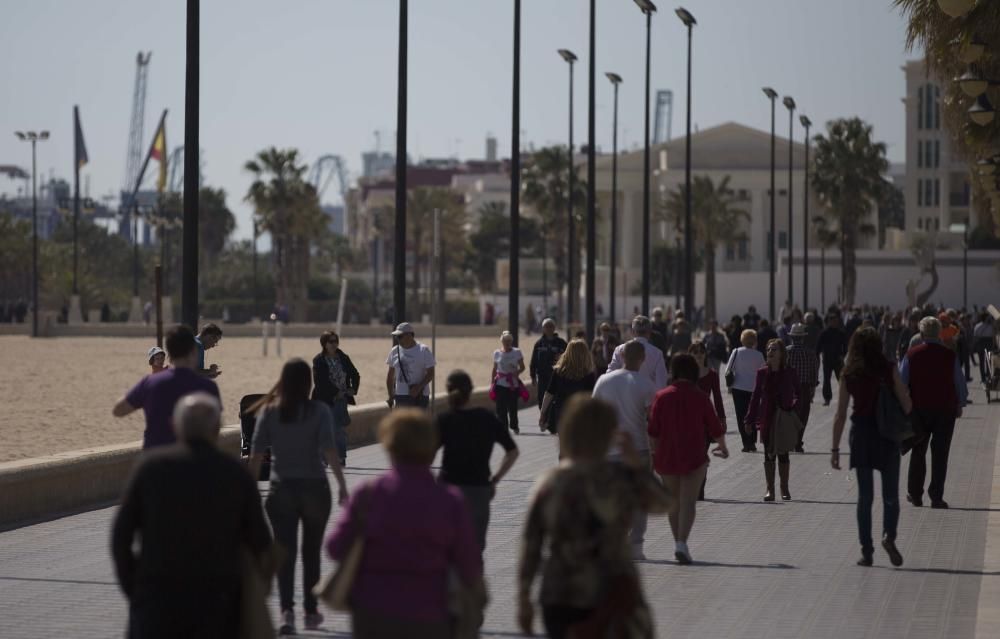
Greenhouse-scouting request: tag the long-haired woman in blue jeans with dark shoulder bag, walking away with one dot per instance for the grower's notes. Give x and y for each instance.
(866, 370)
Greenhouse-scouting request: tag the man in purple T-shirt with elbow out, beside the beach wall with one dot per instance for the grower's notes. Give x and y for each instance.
(157, 394)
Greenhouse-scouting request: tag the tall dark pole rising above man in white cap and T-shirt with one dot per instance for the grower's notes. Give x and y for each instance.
(399, 248)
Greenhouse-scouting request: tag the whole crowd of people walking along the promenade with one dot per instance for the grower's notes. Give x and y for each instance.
(636, 413)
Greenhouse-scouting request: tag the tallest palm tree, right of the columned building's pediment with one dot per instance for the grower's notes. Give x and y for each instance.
(847, 178)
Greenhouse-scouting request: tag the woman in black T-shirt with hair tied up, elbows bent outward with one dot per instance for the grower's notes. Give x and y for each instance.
(467, 436)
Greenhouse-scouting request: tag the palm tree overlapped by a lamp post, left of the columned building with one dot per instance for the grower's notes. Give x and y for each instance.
(545, 185)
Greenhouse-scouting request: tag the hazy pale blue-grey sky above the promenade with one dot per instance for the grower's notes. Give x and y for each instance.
(320, 75)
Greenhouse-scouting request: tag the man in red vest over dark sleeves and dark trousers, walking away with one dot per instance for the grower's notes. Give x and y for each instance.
(938, 389)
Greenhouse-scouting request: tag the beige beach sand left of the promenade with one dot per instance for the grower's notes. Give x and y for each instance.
(58, 393)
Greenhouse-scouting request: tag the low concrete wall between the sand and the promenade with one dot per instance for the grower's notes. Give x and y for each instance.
(46, 487)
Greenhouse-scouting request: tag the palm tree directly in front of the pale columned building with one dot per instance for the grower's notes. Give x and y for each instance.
(716, 220)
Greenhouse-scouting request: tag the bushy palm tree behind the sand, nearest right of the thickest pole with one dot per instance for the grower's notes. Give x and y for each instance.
(286, 207)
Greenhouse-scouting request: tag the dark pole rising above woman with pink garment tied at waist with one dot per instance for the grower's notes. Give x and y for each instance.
(515, 183)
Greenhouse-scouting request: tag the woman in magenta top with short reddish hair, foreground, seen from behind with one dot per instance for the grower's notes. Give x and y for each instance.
(414, 531)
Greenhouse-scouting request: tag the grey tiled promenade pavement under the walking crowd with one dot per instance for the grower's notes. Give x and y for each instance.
(762, 570)
